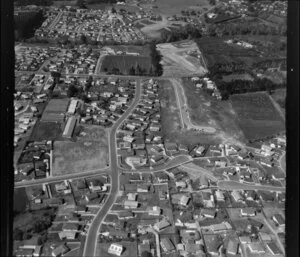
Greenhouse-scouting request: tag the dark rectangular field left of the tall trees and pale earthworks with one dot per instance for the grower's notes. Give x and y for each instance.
(123, 63)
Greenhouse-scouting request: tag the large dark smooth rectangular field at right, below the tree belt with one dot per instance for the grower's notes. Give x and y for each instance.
(257, 115)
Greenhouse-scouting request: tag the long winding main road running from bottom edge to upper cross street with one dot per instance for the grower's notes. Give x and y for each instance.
(91, 239)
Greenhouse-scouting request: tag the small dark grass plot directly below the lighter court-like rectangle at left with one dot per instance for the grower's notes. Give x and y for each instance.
(46, 131)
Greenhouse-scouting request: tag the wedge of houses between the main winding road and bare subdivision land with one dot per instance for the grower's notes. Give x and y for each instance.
(140, 141)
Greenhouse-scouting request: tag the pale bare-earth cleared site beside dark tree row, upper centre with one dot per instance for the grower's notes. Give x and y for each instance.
(182, 58)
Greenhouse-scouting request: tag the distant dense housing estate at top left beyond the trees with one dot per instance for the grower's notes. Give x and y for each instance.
(96, 25)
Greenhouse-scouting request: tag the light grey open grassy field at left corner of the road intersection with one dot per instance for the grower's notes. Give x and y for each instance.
(89, 152)
